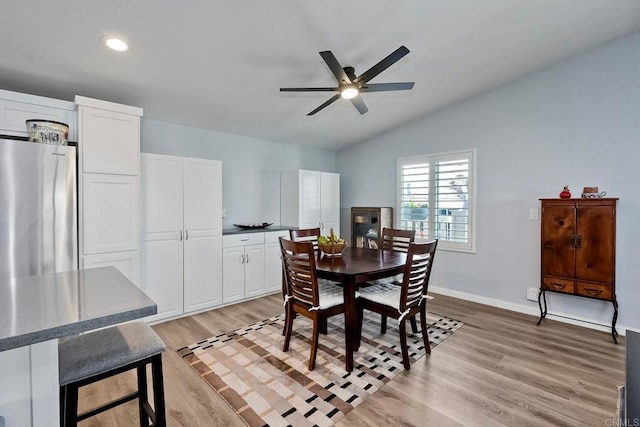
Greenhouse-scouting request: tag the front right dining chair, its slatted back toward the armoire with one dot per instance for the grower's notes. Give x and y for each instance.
(405, 301)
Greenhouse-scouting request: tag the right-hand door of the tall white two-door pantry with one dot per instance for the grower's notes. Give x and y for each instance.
(203, 233)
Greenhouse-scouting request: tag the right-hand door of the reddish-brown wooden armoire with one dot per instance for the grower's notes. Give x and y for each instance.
(595, 254)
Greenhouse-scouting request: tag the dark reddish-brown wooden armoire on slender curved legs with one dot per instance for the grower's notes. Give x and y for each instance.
(578, 250)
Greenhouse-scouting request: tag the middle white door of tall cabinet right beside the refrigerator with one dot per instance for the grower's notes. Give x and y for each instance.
(110, 210)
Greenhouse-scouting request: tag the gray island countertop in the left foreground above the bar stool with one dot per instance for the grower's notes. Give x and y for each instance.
(40, 308)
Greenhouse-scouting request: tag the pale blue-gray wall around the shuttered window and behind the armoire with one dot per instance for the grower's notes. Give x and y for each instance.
(575, 123)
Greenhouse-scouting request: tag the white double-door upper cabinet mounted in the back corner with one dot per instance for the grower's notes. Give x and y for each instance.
(310, 199)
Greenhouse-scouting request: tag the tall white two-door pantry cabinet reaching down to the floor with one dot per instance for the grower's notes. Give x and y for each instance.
(182, 233)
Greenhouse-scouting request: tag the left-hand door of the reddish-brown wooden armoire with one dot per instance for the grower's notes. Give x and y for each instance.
(558, 227)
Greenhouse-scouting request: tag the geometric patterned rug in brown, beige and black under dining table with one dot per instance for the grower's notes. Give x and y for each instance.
(267, 387)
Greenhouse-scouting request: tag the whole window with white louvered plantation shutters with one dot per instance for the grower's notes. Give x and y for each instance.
(436, 198)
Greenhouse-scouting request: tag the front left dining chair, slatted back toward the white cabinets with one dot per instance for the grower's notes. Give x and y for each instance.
(305, 295)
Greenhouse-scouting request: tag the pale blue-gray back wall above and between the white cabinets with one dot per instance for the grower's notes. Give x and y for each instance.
(250, 167)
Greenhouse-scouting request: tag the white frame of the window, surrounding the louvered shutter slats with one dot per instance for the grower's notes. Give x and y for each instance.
(431, 159)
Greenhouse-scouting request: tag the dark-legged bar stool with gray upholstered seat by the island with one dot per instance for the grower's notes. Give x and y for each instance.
(92, 357)
